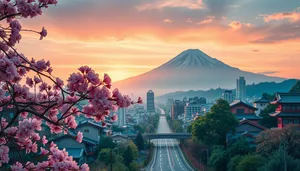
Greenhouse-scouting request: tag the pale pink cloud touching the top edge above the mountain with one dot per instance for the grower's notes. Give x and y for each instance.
(160, 4)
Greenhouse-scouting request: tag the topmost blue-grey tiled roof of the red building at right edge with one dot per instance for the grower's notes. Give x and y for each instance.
(286, 98)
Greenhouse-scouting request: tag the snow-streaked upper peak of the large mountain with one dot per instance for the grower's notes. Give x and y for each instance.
(194, 58)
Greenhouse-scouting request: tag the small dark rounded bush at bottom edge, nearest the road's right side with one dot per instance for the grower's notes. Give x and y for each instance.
(218, 159)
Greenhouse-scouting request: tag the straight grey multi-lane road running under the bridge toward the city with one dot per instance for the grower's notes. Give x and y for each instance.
(167, 155)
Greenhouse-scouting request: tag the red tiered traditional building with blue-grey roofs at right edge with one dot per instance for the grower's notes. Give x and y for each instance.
(288, 108)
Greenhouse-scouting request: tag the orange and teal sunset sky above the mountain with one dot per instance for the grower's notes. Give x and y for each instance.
(125, 38)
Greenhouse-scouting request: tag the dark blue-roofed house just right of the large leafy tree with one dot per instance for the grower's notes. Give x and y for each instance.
(247, 129)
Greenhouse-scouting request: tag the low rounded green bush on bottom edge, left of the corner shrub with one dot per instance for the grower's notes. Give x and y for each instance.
(251, 163)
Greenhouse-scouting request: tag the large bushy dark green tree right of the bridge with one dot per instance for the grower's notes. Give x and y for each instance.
(212, 127)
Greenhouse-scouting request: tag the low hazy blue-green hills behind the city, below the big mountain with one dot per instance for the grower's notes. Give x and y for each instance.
(254, 90)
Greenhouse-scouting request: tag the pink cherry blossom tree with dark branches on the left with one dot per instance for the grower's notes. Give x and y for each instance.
(35, 97)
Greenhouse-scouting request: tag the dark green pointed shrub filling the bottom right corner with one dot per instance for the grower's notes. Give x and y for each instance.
(276, 162)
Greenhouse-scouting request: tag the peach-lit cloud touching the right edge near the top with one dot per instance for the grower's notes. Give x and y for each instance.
(291, 16)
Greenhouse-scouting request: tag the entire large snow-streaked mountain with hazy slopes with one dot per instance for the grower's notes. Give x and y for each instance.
(190, 70)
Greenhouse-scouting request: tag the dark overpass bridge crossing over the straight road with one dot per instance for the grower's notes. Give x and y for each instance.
(180, 136)
